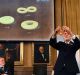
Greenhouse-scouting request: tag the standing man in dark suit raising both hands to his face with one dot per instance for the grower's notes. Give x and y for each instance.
(66, 63)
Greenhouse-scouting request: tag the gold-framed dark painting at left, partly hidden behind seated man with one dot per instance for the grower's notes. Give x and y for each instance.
(14, 50)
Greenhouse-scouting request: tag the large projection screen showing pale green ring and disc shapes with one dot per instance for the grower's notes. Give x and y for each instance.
(26, 20)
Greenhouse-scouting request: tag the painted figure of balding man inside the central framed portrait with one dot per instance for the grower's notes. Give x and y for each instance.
(41, 56)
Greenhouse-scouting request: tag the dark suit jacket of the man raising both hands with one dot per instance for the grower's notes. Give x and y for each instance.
(66, 58)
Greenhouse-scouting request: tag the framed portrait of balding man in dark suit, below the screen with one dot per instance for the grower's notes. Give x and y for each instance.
(41, 52)
